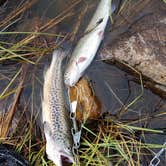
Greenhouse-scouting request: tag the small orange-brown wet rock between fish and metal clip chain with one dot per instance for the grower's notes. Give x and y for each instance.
(88, 107)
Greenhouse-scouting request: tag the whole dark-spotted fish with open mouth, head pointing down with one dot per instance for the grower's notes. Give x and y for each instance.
(55, 115)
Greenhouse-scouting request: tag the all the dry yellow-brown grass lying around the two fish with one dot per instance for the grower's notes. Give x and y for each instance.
(110, 141)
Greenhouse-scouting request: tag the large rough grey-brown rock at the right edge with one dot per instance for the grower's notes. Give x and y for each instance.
(143, 47)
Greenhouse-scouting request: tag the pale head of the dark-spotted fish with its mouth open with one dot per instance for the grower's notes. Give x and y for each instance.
(57, 147)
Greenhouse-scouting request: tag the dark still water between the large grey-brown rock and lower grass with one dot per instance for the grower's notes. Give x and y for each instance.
(123, 92)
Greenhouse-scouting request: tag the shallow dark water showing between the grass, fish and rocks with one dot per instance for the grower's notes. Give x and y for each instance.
(123, 87)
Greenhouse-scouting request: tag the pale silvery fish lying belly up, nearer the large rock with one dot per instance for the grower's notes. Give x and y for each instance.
(88, 45)
